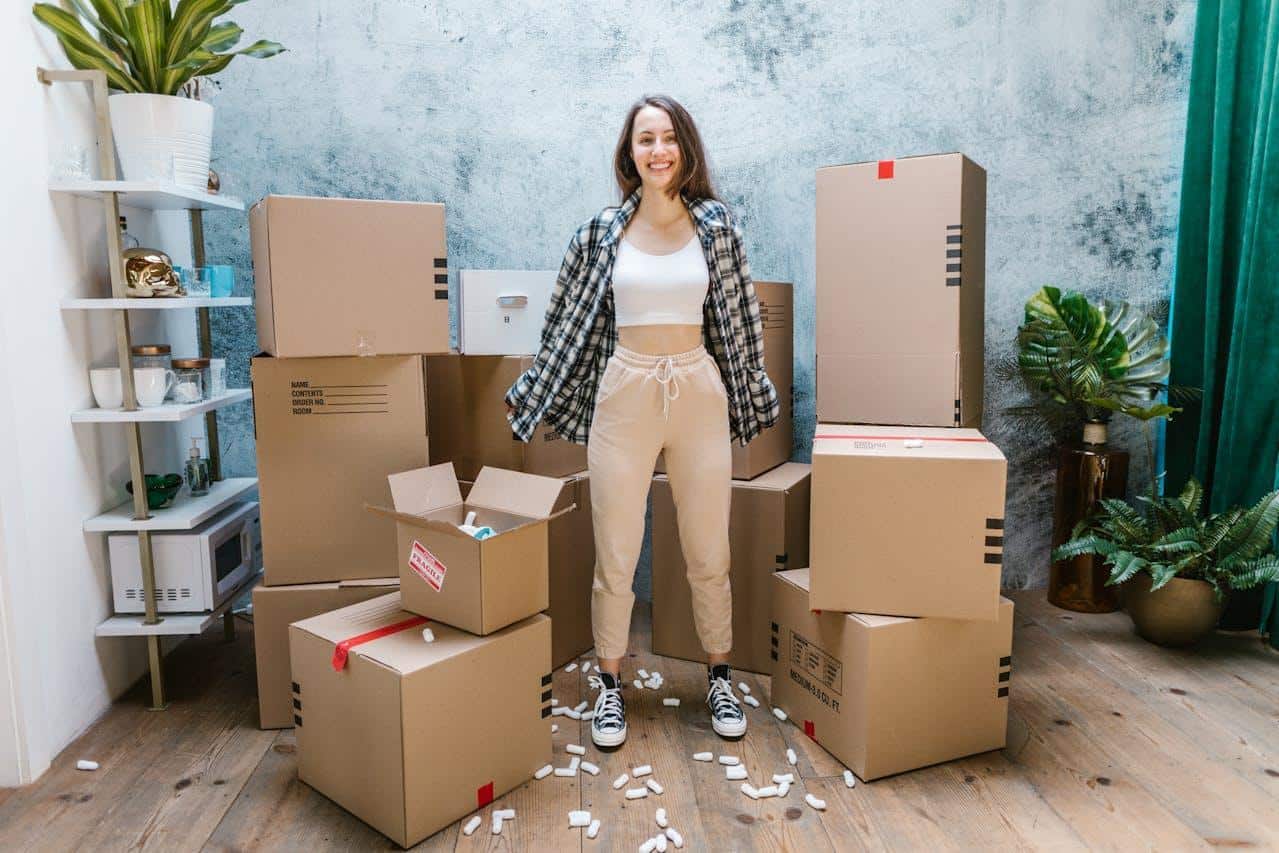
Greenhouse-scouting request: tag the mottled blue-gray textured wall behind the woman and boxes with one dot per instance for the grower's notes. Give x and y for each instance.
(508, 114)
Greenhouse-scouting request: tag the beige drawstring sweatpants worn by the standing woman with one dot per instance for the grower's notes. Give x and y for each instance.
(648, 405)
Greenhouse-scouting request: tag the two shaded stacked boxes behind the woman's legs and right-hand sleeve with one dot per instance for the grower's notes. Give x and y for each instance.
(768, 525)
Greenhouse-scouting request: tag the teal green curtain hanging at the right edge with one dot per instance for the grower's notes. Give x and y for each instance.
(1226, 299)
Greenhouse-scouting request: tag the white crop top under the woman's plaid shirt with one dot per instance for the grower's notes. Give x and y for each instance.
(650, 290)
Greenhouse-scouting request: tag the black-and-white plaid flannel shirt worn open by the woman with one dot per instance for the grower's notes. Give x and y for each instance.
(580, 332)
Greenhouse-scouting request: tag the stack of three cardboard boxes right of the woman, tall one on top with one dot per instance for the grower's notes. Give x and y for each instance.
(893, 650)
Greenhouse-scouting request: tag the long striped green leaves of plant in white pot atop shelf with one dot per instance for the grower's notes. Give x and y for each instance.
(149, 45)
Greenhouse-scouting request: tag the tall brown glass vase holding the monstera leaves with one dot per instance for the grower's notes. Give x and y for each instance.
(1087, 473)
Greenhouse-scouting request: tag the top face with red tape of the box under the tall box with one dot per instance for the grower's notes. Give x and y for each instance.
(898, 442)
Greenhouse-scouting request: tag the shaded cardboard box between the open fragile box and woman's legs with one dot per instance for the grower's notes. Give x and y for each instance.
(571, 567)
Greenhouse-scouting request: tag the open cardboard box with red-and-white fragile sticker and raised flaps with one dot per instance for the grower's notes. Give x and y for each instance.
(475, 585)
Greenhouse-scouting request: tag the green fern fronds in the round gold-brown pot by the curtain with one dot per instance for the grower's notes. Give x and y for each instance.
(1171, 538)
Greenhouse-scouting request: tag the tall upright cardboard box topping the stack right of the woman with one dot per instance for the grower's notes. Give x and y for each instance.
(901, 292)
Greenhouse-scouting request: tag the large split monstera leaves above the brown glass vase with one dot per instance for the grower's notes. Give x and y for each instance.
(1089, 361)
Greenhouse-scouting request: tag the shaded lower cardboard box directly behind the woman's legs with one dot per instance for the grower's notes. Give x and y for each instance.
(768, 531)
